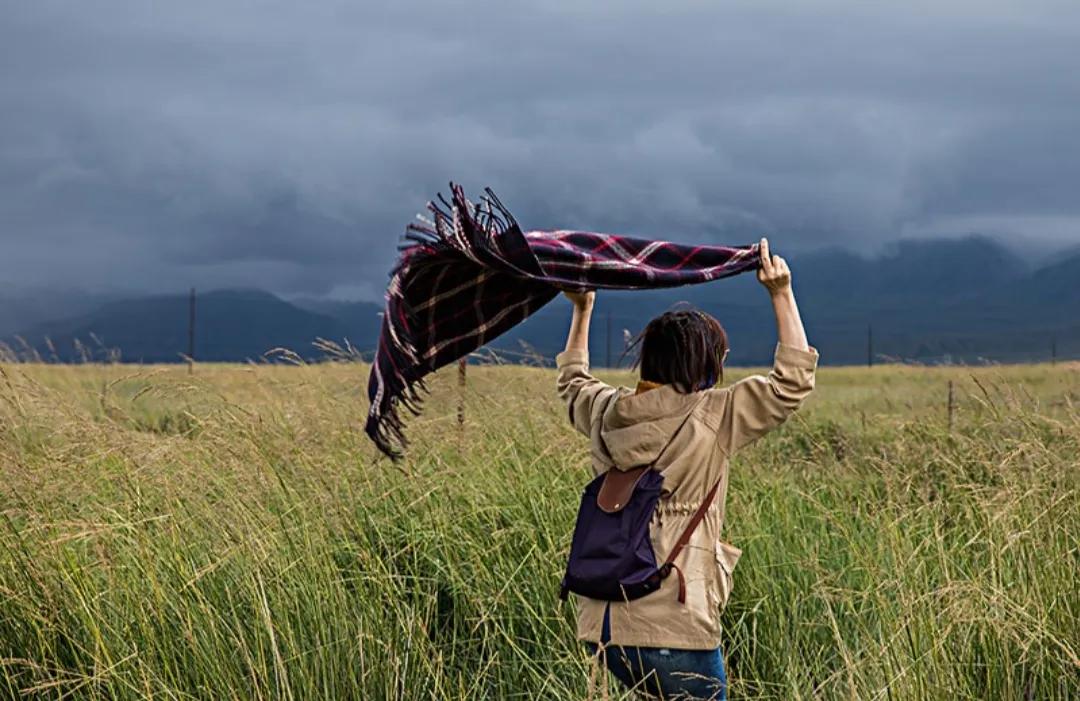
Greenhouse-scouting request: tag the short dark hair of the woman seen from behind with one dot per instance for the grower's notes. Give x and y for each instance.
(684, 348)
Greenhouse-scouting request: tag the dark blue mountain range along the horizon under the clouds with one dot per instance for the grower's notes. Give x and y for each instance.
(961, 301)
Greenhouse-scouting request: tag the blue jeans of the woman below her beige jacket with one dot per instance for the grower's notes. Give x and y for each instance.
(664, 672)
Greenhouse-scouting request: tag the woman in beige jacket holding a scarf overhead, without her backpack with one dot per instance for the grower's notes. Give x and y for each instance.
(679, 421)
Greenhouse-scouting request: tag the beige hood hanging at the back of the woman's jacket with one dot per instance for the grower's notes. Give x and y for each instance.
(637, 428)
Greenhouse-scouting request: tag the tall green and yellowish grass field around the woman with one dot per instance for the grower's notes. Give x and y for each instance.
(229, 535)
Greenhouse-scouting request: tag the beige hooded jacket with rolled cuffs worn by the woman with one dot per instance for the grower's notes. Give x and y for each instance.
(629, 429)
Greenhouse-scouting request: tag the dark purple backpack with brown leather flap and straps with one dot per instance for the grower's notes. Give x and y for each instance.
(612, 556)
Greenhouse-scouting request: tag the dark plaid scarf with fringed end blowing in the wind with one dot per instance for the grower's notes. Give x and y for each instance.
(470, 274)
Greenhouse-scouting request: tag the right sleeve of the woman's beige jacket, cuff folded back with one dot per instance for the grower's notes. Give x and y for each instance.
(753, 407)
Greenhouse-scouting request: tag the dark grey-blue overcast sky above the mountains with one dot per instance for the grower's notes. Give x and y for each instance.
(158, 145)
